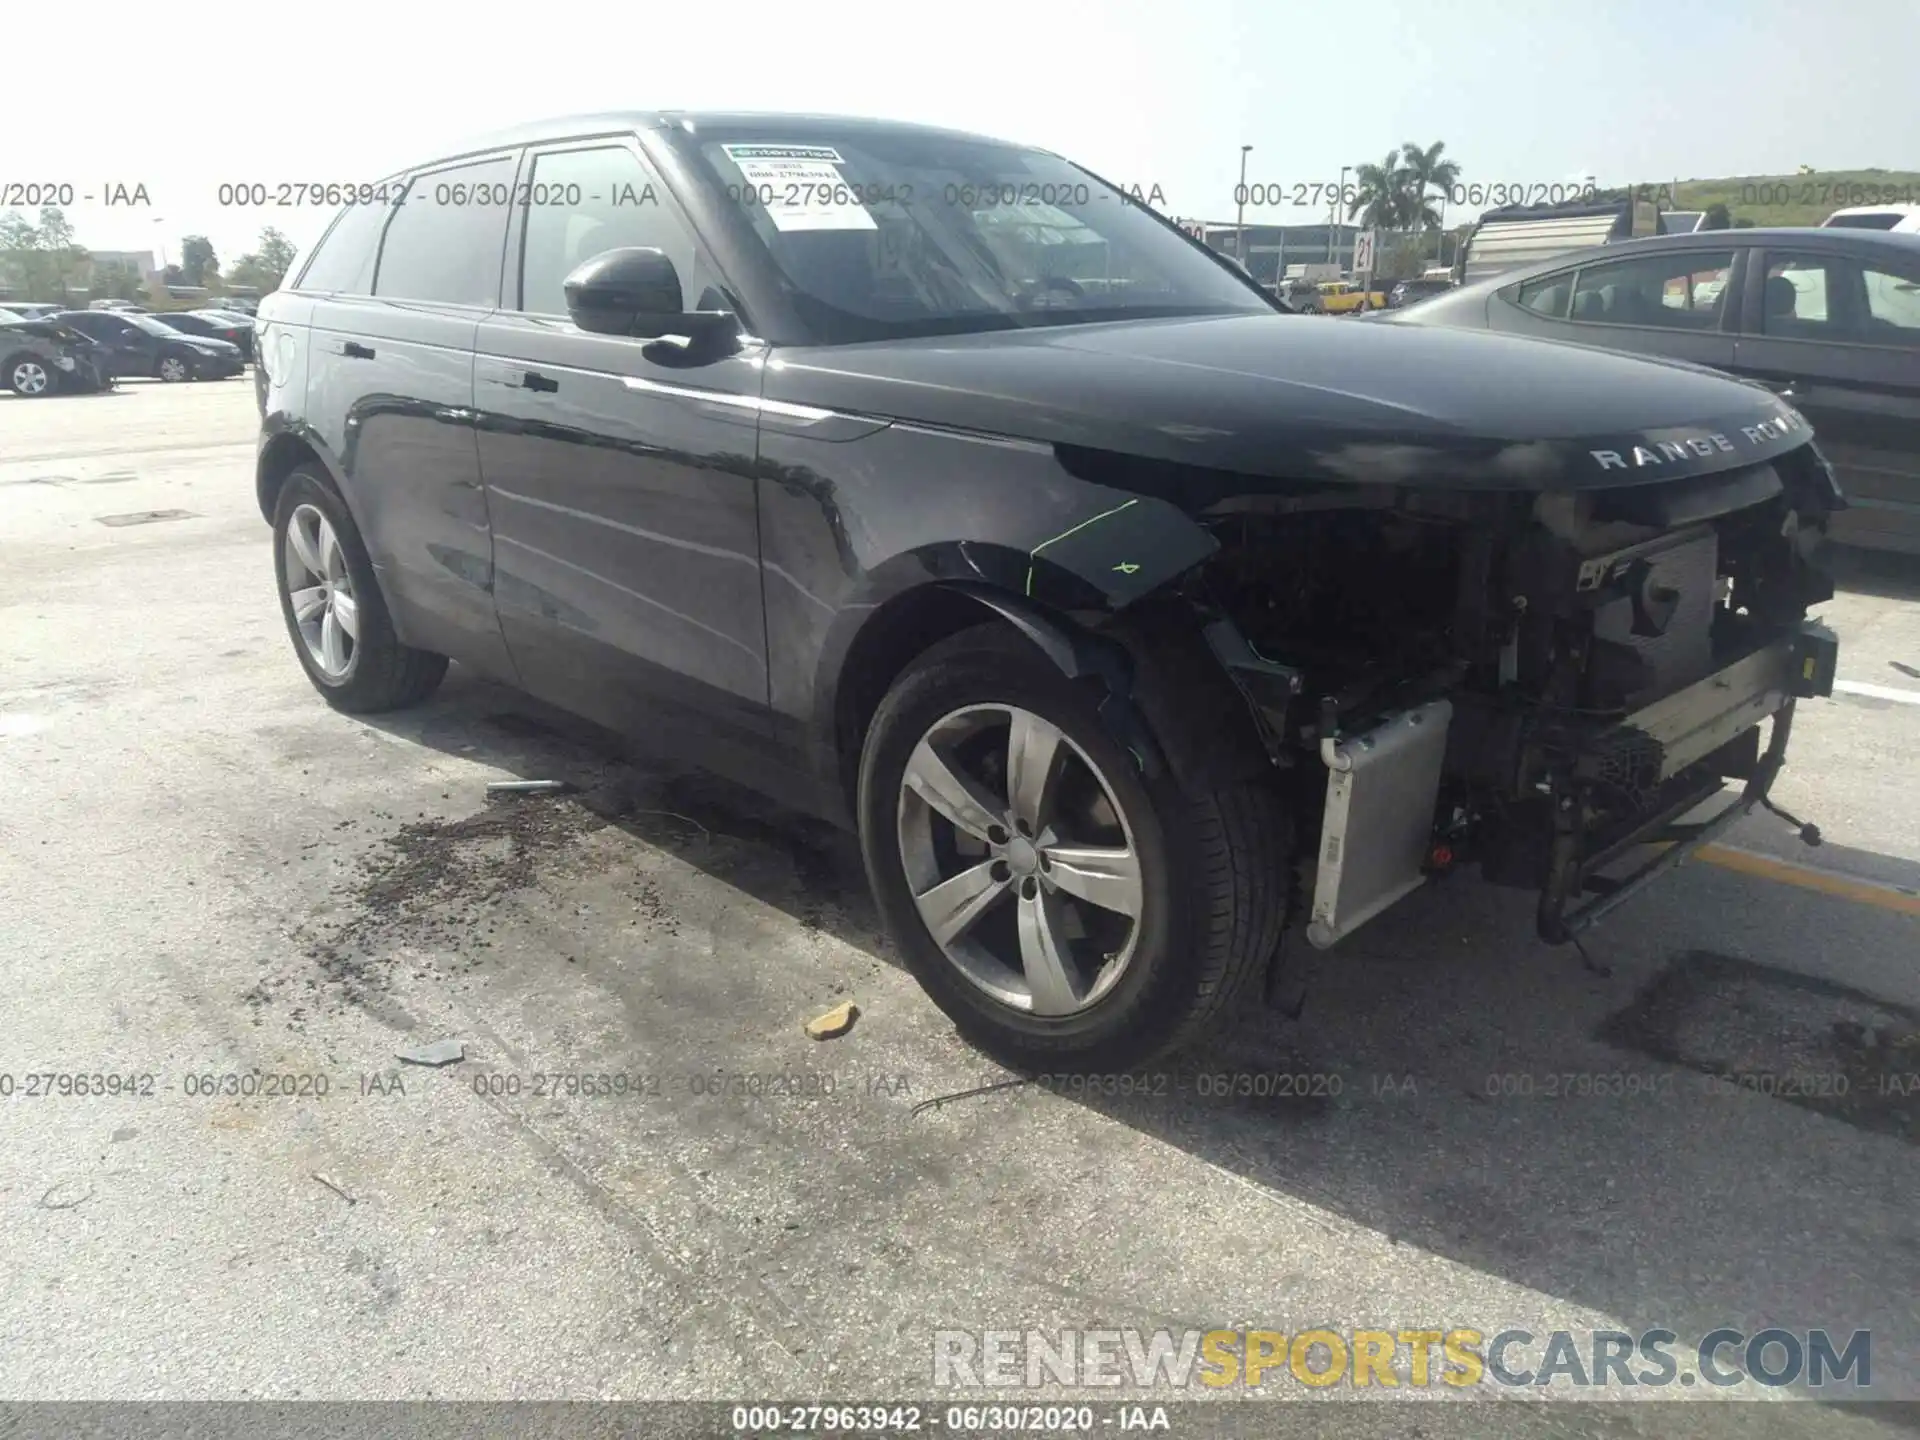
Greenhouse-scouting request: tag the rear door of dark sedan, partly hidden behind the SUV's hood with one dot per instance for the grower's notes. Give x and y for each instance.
(1669, 304)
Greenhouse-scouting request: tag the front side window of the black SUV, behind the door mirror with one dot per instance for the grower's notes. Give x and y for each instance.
(585, 203)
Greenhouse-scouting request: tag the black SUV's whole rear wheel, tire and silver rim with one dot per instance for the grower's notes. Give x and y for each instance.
(333, 608)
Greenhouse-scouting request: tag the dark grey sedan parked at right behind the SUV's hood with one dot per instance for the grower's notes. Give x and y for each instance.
(1829, 318)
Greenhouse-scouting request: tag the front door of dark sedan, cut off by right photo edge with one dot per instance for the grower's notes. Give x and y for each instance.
(1840, 341)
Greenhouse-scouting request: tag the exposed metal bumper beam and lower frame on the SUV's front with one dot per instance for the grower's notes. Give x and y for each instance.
(1675, 736)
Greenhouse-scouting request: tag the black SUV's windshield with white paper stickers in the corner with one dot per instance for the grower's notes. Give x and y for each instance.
(894, 233)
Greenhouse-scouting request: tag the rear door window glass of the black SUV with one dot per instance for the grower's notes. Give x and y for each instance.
(444, 243)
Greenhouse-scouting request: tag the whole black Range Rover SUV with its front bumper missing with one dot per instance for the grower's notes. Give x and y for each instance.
(930, 485)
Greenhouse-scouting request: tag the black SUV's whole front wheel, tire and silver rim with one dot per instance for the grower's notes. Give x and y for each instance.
(1055, 903)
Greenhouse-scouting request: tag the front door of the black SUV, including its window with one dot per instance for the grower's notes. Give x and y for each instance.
(621, 475)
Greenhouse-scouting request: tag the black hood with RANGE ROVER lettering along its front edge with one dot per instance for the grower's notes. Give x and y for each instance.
(1305, 398)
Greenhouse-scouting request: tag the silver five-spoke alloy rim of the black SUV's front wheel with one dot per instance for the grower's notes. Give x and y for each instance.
(1020, 859)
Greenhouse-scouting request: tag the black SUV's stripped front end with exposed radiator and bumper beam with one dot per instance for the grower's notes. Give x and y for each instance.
(1533, 683)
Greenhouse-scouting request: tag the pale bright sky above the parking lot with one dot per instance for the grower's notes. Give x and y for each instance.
(1153, 95)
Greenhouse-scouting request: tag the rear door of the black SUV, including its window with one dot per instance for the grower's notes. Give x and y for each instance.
(391, 373)
